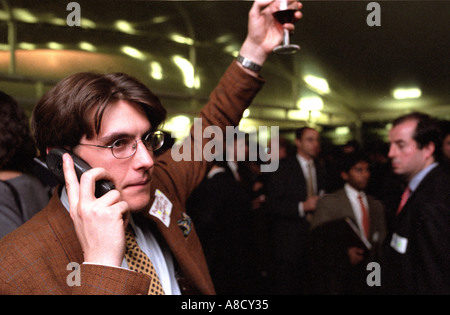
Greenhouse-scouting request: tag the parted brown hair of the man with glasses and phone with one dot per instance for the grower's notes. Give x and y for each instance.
(63, 115)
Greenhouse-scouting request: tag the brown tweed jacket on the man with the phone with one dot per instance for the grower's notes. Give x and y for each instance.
(34, 258)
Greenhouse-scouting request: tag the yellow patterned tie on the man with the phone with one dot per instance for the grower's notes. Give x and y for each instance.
(138, 261)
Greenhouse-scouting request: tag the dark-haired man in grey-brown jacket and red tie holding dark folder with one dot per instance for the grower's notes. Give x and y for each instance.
(338, 259)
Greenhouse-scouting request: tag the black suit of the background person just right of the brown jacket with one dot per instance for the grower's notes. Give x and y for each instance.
(221, 208)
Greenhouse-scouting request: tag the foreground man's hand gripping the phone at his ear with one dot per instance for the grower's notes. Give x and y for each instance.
(99, 222)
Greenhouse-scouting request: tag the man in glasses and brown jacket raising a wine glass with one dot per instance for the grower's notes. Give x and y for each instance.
(136, 238)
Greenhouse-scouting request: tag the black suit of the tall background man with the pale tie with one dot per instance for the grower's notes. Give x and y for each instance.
(286, 188)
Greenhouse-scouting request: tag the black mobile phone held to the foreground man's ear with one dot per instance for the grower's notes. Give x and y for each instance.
(54, 164)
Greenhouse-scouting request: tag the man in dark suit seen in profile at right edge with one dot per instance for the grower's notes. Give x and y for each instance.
(417, 251)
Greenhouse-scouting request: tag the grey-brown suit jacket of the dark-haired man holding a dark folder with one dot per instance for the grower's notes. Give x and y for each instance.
(330, 268)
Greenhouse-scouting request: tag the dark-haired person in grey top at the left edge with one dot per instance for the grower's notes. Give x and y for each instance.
(22, 195)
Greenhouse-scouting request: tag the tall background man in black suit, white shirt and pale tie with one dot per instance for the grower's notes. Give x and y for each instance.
(291, 200)
